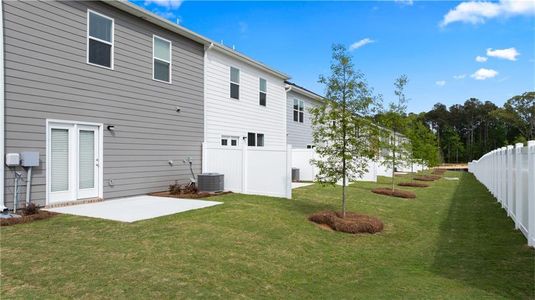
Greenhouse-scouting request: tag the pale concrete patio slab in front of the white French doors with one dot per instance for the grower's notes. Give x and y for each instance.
(132, 209)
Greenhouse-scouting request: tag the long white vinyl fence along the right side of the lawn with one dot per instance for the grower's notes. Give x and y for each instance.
(509, 174)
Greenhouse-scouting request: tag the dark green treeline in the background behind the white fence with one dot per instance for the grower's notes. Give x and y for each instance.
(465, 132)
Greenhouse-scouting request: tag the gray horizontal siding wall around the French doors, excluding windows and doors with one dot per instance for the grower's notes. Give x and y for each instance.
(46, 77)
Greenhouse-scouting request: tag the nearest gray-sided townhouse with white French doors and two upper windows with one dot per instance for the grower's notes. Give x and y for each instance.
(110, 96)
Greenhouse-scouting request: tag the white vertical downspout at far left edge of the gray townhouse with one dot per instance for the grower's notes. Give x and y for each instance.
(2, 105)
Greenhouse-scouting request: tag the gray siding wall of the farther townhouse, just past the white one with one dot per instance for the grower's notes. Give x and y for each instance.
(299, 134)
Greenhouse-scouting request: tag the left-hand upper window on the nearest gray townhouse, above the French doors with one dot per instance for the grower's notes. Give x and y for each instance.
(99, 40)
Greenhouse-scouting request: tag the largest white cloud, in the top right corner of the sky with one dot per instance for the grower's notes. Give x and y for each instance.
(476, 12)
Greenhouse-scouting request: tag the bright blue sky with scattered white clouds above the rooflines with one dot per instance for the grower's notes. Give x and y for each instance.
(434, 42)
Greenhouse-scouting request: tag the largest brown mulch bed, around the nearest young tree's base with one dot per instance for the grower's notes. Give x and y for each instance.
(352, 223)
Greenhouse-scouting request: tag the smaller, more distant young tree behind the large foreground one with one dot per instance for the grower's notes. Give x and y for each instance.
(394, 120)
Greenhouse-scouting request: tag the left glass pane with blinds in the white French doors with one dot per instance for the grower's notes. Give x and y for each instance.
(59, 160)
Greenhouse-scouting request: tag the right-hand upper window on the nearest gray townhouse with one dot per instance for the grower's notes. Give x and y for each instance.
(161, 59)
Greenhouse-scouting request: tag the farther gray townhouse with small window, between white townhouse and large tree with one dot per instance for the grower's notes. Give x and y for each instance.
(299, 123)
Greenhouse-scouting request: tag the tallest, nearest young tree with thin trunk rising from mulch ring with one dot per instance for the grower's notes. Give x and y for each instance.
(342, 130)
